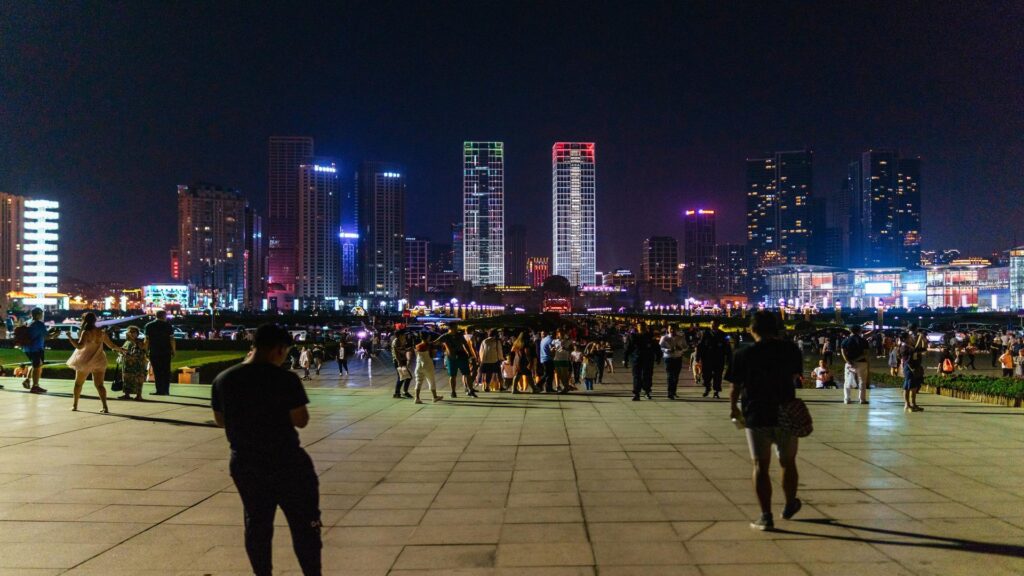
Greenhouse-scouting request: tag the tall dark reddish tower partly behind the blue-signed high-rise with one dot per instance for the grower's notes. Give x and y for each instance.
(286, 155)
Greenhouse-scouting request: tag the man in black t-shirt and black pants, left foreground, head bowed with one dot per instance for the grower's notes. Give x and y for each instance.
(261, 404)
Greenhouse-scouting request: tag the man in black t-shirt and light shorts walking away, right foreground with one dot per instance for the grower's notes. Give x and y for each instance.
(762, 378)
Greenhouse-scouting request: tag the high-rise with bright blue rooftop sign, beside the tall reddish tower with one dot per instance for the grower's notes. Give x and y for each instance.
(319, 260)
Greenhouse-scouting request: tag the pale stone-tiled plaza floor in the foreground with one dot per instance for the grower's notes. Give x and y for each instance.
(528, 485)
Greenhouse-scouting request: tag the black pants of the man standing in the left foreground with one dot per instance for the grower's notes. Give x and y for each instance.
(291, 484)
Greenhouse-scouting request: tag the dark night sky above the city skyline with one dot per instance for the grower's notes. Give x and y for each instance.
(108, 107)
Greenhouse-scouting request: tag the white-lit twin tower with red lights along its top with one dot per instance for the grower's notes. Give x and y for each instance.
(574, 215)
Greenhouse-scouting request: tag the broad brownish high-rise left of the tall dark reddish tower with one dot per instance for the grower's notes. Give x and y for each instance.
(212, 243)
